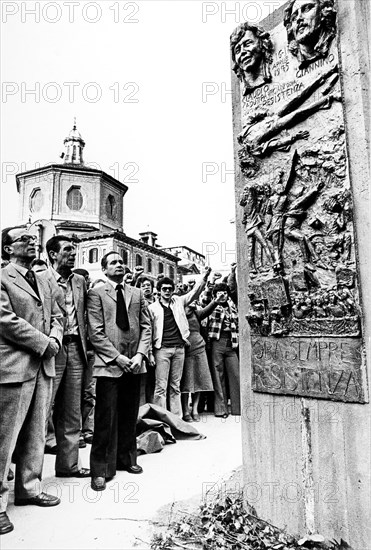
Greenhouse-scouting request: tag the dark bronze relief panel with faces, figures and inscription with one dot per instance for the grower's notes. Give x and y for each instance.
(295, 204)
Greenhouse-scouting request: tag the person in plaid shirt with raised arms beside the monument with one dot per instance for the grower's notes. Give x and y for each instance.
(223, 336)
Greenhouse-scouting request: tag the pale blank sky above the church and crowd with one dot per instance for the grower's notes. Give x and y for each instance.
(149, 84)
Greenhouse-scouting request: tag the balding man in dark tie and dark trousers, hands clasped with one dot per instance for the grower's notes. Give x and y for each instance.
(120, 333)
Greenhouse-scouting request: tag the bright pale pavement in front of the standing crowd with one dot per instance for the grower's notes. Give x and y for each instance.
(120, 517)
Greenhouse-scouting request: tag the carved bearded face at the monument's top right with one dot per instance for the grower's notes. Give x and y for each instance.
(305, 20)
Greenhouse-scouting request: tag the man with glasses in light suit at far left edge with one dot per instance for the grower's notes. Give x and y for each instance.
(30, 337)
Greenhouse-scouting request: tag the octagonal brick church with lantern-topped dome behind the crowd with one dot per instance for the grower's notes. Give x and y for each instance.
(88, 205)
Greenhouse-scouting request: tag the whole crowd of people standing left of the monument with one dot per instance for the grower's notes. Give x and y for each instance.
(77, 359)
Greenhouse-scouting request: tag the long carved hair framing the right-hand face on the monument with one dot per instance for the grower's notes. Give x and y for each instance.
(327, 29)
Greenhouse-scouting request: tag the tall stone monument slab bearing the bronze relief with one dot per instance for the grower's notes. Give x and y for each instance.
(300, 116)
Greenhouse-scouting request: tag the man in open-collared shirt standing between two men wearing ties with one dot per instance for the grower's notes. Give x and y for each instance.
(71, 361)
